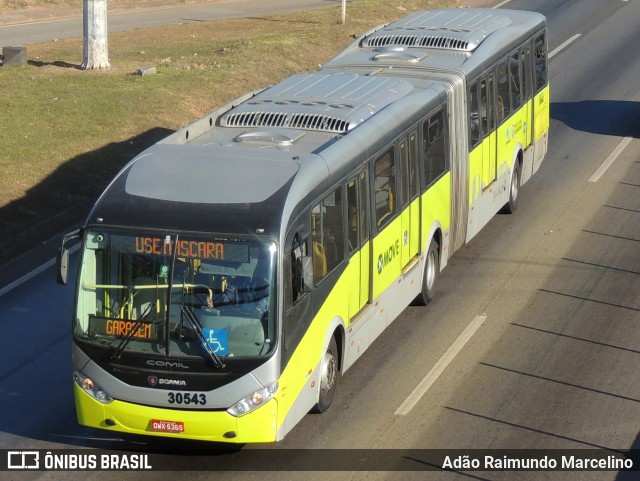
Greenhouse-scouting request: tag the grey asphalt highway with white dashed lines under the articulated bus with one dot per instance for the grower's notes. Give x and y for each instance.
(553, 293)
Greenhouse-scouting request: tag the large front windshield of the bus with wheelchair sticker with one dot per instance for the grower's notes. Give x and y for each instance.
(176, 295)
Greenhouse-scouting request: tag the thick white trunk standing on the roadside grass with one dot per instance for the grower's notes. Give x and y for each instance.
(94, 31)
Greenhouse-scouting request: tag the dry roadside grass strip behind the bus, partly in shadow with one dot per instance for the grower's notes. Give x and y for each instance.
(65, 132)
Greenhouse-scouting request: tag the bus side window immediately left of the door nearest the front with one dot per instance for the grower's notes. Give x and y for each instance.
(327, 222)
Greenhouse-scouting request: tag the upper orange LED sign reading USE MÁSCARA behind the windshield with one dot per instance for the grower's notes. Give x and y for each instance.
(230, 251)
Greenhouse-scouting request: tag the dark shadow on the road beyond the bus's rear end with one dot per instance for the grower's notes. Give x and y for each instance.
(620, 118)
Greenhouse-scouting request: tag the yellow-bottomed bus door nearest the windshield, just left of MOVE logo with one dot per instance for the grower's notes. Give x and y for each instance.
(358, 241)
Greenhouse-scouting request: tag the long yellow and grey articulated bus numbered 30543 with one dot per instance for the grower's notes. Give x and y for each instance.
(230, 273)
